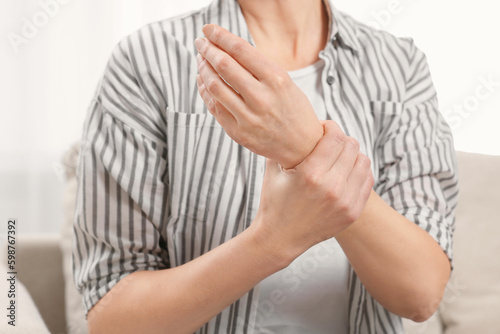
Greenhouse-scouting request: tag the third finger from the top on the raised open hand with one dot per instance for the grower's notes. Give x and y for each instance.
(218, 89)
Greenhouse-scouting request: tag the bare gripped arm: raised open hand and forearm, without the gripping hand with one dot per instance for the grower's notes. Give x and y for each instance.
(401, 265)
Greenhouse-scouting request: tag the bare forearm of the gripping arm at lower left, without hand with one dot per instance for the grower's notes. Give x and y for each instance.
(182, 299)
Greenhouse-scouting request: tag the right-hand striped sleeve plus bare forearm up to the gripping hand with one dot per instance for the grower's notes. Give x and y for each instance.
(412, 237)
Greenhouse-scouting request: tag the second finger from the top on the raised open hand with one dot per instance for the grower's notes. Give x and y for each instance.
(233, 73)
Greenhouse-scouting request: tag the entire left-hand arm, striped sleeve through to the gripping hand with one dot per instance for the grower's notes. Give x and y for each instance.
(120, 267)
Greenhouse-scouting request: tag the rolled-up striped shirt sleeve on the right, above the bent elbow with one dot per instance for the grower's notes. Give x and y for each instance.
(417, 166)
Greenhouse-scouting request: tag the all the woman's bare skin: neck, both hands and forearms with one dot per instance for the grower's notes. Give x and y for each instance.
(325, 191)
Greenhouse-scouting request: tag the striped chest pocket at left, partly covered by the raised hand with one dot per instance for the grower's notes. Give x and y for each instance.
(202, 161)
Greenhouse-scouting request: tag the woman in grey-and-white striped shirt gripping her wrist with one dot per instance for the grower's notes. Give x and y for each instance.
(179, 229)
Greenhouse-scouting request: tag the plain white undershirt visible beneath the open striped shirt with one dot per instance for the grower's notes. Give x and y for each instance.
(310, 295)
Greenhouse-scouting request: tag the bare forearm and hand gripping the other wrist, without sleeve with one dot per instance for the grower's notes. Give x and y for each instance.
(182, 299)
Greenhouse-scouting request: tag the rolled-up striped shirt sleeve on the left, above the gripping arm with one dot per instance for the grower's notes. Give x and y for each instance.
(122, 200)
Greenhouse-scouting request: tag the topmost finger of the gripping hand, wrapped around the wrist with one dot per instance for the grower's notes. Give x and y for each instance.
(328, 149)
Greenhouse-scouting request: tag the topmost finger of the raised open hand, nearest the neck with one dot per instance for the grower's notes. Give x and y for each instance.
(242, 51)
